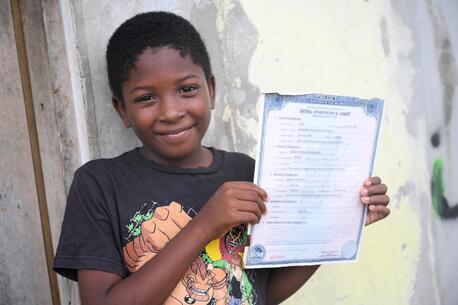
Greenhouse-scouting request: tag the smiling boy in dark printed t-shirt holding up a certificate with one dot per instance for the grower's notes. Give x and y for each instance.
(165, 223)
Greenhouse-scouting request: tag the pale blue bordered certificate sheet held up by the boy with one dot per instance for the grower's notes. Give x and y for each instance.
(314, 152)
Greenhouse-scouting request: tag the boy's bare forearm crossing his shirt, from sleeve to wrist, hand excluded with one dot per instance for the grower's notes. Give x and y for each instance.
(154, 282)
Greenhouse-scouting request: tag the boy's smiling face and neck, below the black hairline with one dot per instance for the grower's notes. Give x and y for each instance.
(168, 103)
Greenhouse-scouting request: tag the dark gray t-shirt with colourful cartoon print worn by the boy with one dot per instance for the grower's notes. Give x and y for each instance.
(122, 211)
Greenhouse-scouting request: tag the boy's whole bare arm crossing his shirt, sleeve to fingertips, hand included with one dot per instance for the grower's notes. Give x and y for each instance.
(233, 202)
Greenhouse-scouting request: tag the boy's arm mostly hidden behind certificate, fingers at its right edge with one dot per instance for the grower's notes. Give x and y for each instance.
(283, 282)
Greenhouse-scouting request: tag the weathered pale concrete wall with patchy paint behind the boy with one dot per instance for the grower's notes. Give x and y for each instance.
(401, 51)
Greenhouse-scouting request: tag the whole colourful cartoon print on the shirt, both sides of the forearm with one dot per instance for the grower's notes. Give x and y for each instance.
(215, 277)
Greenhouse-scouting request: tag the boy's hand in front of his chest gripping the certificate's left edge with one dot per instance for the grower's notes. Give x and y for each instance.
(232, 204)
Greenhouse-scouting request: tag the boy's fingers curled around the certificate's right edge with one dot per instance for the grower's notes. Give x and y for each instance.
(373, 193)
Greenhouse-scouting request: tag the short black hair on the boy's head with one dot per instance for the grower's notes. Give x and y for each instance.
(152, 30)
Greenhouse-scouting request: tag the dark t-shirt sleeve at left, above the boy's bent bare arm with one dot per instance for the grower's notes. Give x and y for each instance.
(87, 240)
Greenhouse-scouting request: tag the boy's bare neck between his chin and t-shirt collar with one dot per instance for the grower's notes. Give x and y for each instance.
(201, 158)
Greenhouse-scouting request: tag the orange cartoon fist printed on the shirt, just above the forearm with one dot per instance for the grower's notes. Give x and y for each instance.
(165, 224)
